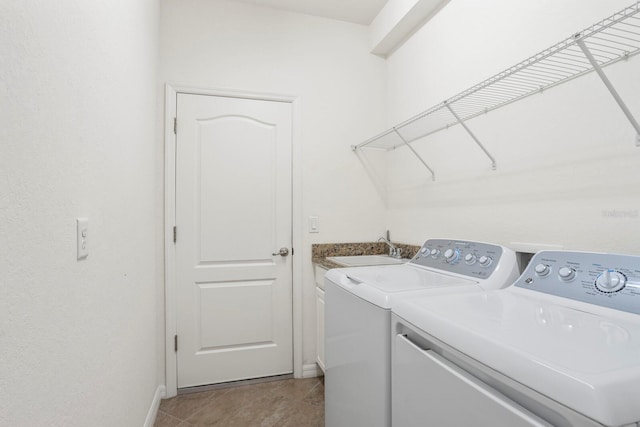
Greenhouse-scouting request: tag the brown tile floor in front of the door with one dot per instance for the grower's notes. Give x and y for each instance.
(284, 403)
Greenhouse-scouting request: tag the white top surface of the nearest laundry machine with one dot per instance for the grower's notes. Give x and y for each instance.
(588, 361)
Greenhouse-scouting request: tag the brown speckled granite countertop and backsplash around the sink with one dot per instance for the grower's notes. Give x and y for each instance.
(320, 251)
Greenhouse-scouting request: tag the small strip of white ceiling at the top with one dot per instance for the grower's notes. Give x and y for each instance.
(356, 11)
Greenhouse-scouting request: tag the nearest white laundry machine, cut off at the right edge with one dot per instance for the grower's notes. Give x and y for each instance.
(561, 347)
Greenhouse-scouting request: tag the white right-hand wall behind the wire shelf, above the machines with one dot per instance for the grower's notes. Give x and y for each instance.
(567, 165)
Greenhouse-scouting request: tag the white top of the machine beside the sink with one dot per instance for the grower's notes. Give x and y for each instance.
(385, 285)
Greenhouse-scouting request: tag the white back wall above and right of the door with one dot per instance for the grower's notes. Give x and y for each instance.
(228, 45)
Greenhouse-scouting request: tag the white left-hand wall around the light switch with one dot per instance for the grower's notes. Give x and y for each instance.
(77, 96)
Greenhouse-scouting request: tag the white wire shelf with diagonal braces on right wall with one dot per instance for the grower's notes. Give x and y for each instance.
(609, 41)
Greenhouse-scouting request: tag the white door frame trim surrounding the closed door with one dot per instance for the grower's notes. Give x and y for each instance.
(171, 97)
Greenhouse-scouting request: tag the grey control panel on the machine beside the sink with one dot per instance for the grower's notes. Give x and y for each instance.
(473, 259)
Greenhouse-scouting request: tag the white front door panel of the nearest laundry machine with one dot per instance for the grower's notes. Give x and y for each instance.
(428, 390)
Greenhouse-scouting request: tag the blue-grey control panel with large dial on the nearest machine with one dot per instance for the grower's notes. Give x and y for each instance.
(607, 280)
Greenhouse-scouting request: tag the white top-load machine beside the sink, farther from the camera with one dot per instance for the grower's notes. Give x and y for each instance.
(358, 304)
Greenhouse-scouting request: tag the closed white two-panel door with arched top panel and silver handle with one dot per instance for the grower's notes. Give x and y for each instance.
(233, 215)
